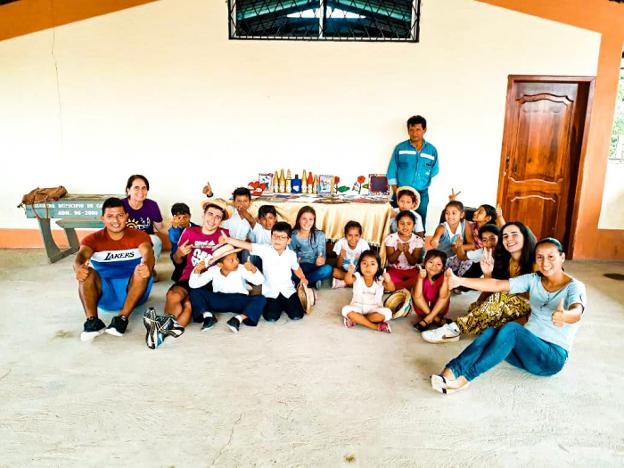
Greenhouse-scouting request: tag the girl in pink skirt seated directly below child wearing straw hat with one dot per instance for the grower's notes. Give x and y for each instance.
(403, 249)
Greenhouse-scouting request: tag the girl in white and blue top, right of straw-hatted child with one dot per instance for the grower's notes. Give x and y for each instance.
(452, 235)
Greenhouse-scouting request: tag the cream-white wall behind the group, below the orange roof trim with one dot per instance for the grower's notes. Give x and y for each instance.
(160, 90)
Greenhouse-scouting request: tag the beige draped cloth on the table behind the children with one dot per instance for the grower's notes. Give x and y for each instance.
(331, 218)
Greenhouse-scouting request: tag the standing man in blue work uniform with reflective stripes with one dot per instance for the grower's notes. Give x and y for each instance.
(414, 162)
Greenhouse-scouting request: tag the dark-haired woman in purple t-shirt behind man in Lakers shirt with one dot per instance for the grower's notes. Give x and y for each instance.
(143, 213)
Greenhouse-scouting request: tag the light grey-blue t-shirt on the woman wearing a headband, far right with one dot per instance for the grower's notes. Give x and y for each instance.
(544, 303)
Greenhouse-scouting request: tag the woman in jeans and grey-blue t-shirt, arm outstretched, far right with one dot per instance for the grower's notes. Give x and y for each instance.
(540, 347)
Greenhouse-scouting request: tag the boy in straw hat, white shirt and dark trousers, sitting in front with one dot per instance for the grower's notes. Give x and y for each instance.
(229, 290)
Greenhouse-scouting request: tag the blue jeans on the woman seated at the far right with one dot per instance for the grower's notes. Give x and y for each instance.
(512, 343)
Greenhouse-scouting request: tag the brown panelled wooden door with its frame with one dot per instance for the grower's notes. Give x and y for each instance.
(546, 124)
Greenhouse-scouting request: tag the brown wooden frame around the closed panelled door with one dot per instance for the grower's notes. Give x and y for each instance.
(590, 81)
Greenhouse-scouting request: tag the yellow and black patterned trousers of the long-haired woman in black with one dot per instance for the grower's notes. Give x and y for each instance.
(494, 311)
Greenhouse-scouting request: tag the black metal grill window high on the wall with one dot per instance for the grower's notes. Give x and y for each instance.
(328, 20)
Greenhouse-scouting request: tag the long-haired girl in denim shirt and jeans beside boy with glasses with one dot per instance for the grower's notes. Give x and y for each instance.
(308, 242)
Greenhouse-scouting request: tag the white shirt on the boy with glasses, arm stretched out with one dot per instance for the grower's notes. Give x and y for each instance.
(278, 270)
